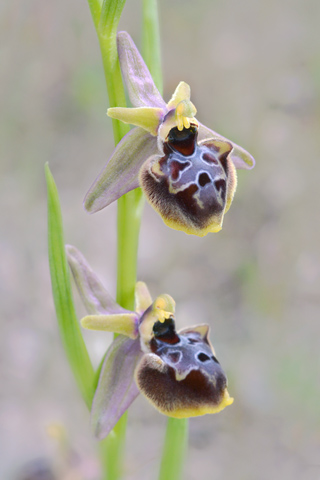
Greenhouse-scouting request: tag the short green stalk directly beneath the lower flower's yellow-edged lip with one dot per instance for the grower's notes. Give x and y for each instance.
(174, 449)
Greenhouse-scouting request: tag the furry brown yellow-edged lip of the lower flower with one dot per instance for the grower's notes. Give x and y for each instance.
(181, 376)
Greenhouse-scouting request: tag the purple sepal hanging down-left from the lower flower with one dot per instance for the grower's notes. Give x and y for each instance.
(116, 388)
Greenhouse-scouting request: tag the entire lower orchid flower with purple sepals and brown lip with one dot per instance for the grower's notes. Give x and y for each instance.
(178, 372)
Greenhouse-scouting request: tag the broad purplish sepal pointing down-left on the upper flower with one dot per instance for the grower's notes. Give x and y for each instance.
(120, 175)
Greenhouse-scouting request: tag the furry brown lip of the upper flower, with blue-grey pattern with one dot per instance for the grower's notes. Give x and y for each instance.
(192, 184)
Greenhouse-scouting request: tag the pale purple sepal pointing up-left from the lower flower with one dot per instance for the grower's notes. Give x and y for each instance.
(95, 297)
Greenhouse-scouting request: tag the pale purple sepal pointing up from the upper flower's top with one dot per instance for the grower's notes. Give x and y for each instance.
(141, 88)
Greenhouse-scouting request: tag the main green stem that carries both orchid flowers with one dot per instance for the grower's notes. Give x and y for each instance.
(129, 211)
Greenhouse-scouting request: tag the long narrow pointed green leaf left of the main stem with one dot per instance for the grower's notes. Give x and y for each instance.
(62, 294)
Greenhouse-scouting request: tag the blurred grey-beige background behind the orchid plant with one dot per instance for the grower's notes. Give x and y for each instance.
(254, 70)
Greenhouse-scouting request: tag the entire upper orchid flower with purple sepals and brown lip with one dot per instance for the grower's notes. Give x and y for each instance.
(186, 170)
